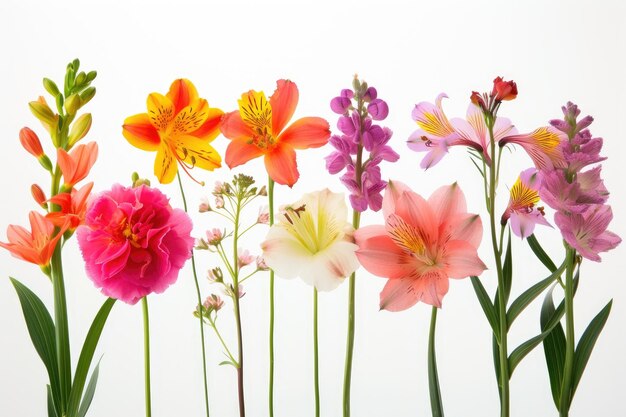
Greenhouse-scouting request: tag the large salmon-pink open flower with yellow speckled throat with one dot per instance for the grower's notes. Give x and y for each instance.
(421, 245)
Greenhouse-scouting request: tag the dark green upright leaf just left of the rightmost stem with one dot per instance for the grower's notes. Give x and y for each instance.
(553, 345)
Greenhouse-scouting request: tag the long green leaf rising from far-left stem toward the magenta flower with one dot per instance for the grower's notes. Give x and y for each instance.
(86, 355)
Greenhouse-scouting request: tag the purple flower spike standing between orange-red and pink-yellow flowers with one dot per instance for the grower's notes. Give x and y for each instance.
(359, 109)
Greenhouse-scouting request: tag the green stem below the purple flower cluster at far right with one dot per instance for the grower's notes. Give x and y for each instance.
(566, 387)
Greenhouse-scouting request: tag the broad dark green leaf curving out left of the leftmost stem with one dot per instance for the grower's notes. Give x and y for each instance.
(41, 330)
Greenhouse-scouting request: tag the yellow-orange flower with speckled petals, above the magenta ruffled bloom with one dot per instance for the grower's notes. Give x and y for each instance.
(179, 126)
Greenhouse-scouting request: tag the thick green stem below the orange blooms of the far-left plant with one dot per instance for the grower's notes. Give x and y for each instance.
(61, 328)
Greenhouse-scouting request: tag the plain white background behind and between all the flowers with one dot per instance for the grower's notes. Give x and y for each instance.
(556, 51)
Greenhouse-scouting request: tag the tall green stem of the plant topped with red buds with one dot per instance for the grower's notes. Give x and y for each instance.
(502, 347)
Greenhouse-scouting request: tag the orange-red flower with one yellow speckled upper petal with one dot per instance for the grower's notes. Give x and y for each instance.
(258, 128)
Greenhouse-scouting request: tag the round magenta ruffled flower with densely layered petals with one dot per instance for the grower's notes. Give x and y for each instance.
(133, 242)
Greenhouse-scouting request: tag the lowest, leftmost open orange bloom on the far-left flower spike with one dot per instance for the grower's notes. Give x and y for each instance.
(35, 246)
